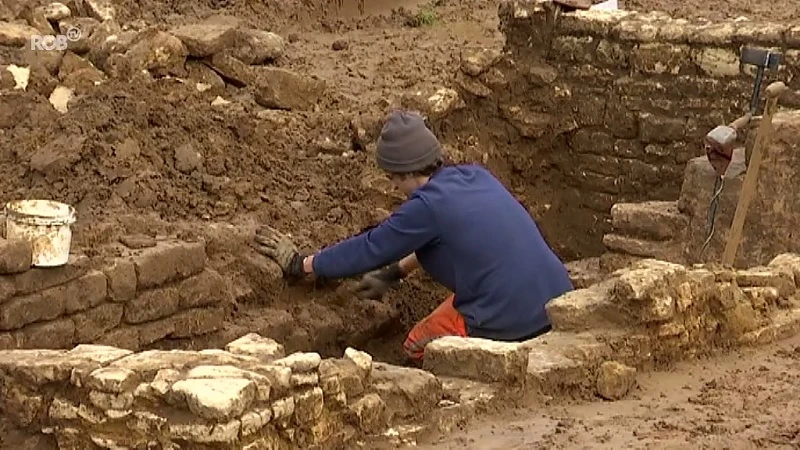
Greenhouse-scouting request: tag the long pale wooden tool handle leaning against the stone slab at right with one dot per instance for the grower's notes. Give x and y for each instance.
(750, 184)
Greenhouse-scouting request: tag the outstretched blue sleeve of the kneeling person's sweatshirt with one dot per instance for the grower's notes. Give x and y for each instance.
(409, 228)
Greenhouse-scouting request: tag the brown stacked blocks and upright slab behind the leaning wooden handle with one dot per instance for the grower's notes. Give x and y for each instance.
(675, 230)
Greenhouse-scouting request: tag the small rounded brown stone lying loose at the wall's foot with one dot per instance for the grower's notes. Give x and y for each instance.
(406, 391)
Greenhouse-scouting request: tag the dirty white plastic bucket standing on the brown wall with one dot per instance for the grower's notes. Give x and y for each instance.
(46, 225)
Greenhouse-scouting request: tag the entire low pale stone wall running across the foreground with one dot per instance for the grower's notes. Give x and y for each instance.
(251, 395)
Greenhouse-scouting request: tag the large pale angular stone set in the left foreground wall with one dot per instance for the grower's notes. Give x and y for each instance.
(218, 398)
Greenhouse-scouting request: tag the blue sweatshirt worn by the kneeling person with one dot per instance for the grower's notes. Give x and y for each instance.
(471, 235)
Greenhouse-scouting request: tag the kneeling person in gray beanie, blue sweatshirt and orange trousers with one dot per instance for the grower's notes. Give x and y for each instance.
(463, 227)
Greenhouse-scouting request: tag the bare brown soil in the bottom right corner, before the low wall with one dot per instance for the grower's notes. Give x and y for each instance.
(743, 400)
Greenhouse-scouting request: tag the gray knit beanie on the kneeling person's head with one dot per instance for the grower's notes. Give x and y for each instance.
(406, 144)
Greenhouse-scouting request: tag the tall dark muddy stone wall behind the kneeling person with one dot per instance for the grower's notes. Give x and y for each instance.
(593, 108)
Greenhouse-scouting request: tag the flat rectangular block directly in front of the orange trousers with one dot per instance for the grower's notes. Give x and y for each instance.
(476, 359)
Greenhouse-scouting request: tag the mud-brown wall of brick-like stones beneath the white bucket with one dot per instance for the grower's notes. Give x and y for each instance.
(154, 290)
